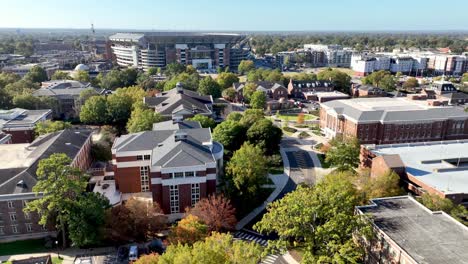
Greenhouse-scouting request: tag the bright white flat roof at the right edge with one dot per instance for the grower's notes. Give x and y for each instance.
(443, 165)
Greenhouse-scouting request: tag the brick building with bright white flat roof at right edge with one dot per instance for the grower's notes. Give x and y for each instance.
(437, 167)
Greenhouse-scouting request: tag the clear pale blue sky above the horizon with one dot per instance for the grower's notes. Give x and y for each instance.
(238, 15)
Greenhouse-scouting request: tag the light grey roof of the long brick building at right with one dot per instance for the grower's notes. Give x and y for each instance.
(391, 110)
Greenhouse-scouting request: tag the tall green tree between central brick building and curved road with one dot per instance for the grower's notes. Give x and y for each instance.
(247, 169)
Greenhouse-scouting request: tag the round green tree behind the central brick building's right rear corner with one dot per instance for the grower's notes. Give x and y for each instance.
(229, 133)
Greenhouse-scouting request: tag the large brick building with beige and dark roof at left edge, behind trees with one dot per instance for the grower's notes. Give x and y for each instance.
(18, 166)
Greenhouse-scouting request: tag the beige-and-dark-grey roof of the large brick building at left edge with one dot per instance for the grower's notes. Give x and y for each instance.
(19, 162)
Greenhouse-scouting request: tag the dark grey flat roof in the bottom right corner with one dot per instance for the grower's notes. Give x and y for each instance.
(428, 237)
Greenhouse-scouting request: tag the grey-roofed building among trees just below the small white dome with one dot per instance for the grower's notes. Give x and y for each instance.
(67, 94)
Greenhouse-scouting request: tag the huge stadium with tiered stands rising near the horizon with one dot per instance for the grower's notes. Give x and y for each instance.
(157, 49)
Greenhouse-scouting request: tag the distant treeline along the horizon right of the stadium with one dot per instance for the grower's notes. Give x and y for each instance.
(384, 42)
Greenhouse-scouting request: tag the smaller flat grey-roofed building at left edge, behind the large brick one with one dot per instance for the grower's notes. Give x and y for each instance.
(20, 123)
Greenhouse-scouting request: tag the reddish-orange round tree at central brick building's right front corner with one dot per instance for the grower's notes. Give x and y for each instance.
(216, 212)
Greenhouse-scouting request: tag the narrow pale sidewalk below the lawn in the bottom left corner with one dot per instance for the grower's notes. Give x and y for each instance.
(67, 255)
